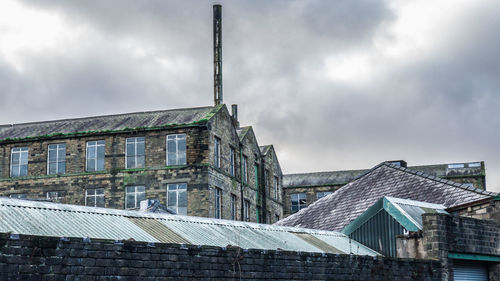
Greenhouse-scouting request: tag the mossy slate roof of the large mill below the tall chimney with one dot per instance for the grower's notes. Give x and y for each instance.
(149, 119)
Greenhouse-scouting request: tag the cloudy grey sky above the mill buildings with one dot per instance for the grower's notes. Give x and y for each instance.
(332, 84)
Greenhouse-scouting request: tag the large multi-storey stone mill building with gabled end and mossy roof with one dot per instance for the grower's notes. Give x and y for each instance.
(197, 161)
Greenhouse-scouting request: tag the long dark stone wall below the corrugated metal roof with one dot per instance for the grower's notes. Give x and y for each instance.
(49, 258)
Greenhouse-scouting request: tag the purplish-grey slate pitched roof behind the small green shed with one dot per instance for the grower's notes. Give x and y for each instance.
(338, 209)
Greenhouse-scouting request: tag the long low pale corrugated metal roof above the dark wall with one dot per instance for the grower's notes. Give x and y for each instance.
(60, 220)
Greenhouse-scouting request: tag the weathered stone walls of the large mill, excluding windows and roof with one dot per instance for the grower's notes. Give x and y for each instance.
(199, 173)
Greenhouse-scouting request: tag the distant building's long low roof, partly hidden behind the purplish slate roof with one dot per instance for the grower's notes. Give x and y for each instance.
(343, 177)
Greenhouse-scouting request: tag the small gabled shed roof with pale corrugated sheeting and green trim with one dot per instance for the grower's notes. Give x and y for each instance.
(406, 212)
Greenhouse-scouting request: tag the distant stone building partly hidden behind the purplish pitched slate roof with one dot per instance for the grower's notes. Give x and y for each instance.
(301, 190)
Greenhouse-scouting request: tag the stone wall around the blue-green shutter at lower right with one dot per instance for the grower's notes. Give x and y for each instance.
(444, 234)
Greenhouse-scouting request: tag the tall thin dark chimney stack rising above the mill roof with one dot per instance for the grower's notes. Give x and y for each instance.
(218, 54)
